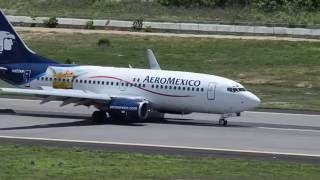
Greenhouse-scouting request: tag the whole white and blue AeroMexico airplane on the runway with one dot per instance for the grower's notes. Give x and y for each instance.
(118, 93)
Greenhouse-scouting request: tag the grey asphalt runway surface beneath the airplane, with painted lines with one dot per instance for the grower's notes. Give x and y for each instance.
(265, 135)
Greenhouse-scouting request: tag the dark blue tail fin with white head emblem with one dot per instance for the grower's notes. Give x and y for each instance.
(13, 49)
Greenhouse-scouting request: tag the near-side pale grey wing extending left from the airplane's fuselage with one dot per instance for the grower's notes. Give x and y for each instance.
(78, 97)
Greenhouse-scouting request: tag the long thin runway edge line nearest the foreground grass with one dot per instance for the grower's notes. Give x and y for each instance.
(162, 146)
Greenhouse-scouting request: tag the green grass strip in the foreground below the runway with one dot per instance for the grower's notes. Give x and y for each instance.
(27, 162)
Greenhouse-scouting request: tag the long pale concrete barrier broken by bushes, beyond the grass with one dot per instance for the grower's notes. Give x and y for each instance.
(190, 27)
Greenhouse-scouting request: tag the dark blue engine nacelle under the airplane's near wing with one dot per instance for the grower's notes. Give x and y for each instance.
(129, 108)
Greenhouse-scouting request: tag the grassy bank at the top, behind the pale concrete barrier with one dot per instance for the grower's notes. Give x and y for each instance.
(155, 12)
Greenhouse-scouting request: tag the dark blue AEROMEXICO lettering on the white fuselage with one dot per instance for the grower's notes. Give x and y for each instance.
(172, 81)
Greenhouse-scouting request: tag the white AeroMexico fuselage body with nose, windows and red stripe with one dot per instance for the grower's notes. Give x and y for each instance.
(167, 91)
